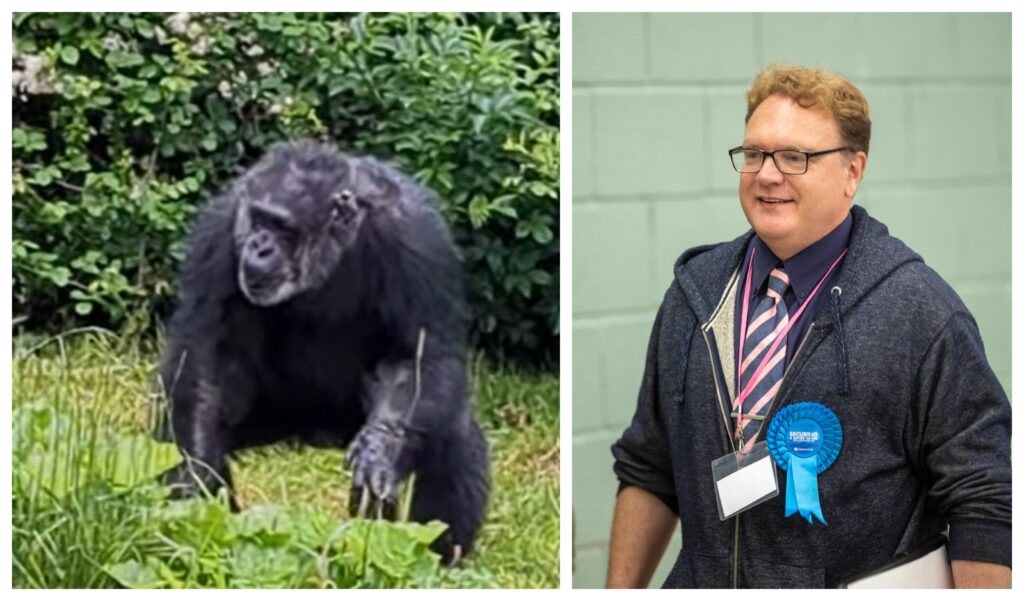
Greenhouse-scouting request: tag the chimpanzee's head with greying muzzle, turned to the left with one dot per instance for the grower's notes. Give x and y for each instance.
(293, 226)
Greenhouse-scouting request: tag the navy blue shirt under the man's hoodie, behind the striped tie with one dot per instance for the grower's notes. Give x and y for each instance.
(805, 270)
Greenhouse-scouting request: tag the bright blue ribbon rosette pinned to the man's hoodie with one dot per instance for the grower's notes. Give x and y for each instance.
(804, 440)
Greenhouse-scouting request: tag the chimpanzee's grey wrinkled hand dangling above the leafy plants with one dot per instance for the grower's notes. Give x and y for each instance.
(374, 458)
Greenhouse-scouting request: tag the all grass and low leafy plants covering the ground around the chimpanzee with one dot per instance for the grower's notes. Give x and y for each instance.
(88, 514)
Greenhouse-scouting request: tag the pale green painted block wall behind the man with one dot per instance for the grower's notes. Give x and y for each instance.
(658, 100)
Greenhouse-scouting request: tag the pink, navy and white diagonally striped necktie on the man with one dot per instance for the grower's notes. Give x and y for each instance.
(769, 321)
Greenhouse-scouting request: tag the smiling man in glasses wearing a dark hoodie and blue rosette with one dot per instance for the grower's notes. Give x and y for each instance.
(840, 314)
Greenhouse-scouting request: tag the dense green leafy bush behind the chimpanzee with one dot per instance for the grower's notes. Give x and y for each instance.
(124, 124)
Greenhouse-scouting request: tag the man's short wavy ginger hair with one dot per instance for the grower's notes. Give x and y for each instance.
(817, 89)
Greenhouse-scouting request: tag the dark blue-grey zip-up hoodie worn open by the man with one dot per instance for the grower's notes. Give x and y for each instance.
(897, 356)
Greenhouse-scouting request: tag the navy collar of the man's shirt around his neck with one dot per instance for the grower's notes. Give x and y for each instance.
(806, 268)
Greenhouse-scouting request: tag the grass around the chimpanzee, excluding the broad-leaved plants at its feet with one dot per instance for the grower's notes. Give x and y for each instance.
(99, 384)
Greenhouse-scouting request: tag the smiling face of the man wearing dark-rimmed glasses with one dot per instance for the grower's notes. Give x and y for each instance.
(792, 212)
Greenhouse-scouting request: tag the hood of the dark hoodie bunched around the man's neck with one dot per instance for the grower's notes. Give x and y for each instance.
(703, 273)
